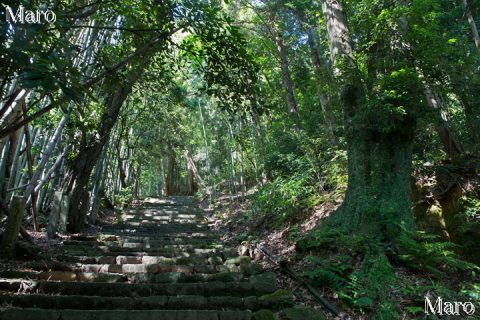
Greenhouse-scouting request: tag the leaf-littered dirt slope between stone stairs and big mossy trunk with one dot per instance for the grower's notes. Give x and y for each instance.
(229, 216)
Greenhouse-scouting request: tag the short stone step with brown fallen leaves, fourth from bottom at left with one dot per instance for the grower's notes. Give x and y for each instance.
(64, 276)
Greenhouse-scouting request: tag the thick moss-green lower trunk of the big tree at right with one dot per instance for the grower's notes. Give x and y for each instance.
(377, 202)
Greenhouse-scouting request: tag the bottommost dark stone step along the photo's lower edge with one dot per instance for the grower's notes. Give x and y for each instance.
(69, 314)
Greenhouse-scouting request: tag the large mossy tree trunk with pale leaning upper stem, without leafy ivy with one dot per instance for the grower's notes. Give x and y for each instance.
(377, 202)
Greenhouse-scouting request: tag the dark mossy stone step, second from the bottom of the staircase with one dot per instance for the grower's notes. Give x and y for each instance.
(181, 302)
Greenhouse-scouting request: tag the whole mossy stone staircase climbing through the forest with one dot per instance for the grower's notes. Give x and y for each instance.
(158, 261)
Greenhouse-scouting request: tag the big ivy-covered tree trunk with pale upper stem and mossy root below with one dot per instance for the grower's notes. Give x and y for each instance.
(379, 132)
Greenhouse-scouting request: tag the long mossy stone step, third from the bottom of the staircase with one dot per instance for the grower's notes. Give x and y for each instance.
(105, 289)
